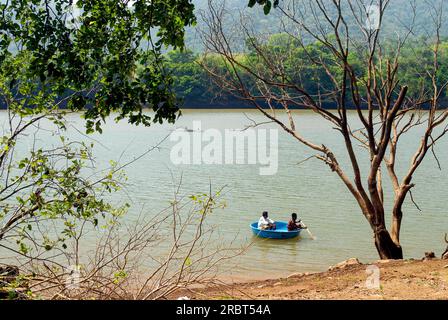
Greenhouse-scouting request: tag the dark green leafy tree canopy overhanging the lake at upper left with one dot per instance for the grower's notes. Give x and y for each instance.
(101, 56)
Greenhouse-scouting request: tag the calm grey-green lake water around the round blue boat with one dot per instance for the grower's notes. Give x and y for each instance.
(308, 188)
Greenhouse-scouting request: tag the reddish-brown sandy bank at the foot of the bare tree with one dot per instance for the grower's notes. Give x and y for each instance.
(405, 279)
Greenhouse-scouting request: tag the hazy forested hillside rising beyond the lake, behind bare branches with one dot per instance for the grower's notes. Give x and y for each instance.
(196, 90)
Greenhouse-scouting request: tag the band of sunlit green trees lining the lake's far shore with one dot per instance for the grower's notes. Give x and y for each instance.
(192, 84)
